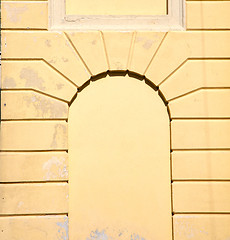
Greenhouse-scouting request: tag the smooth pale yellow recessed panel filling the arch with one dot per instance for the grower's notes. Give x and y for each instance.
(119, 146)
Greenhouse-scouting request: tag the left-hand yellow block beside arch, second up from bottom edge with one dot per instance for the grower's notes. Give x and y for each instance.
(33, 198)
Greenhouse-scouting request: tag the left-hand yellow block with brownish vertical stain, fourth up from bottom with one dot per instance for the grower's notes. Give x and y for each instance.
(33, 135)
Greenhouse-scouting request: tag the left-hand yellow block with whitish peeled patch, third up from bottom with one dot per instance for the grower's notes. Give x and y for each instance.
(26, 167)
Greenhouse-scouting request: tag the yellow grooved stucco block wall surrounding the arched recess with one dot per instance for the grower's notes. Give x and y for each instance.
(42, 71)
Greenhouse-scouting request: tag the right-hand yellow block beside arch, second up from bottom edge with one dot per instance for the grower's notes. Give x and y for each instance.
(201, 197)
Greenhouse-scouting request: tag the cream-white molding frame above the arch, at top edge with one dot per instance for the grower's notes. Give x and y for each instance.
(58, 20)
